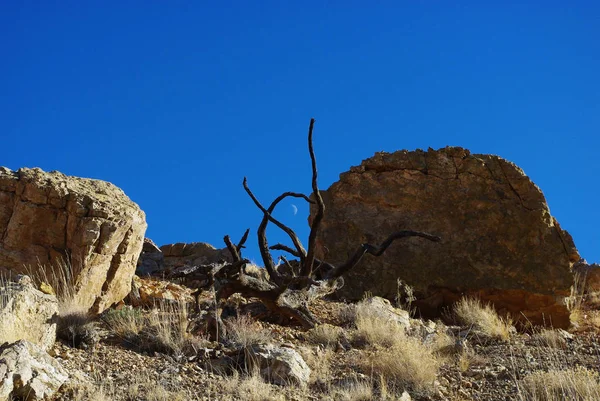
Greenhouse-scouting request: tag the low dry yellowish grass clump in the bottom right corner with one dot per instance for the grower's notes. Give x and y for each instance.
(579, 384)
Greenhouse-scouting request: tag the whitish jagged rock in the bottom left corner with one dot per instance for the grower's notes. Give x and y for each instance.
(28, 373)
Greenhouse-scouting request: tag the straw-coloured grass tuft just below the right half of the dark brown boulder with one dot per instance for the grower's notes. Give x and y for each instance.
(483, 319)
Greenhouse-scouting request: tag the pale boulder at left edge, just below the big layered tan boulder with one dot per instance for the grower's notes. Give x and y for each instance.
(26, 313)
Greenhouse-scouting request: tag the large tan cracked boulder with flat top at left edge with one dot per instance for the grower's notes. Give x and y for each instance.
(50, 218)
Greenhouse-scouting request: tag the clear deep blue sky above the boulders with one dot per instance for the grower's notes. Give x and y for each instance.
(176, 101)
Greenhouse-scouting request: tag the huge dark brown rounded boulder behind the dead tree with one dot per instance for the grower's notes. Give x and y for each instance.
(499, 241)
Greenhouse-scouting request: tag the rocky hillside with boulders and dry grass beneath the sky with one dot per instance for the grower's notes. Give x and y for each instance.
(501, 308)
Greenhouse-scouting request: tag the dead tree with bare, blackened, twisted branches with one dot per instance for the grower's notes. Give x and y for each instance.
(289, 293)
